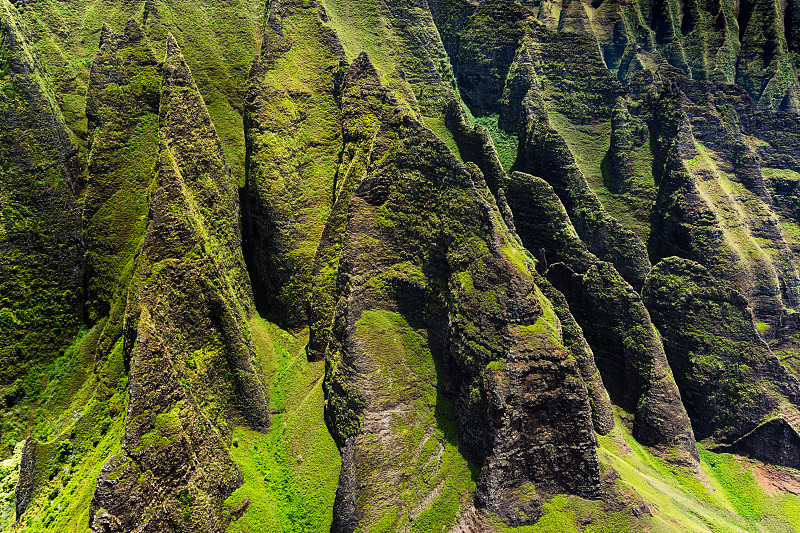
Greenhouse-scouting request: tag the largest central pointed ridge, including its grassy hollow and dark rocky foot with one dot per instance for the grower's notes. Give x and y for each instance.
(490, 353)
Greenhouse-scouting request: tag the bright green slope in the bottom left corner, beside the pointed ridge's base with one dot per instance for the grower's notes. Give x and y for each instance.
(79, 424)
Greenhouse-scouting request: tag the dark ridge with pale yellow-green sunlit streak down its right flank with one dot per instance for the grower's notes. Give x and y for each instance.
(713, 206)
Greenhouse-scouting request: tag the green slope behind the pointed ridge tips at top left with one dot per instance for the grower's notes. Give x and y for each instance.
(220, 39)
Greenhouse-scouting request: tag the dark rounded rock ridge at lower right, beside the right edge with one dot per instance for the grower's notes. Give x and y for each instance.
(734, 389)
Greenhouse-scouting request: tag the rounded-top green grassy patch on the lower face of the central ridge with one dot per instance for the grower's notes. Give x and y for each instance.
(429, 493)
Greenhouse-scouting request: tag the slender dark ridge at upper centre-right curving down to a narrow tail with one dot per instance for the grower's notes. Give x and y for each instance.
(551, 145)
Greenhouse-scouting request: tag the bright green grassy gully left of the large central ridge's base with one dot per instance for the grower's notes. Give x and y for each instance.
(290, 473)
